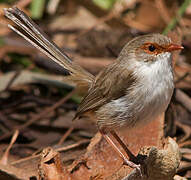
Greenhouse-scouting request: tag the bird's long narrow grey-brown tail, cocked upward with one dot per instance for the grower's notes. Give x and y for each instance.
(34, 35)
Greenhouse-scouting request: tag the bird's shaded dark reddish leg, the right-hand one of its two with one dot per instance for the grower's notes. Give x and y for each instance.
(125, 148)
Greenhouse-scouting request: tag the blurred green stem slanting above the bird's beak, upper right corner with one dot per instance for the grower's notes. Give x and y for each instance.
(176, 19)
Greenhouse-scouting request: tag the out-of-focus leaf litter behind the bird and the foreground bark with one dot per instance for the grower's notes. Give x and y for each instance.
(92, 33)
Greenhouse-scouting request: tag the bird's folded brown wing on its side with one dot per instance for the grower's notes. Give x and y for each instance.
(110, 84)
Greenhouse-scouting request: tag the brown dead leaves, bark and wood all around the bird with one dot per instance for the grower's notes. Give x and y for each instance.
(37, 103)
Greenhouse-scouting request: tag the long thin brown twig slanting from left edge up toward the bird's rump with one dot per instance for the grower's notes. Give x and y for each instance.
(37, 117)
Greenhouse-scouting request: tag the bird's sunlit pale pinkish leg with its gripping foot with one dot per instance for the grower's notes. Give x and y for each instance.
(118, 151)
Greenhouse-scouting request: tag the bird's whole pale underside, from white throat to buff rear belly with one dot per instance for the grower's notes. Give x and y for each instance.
(148, 98)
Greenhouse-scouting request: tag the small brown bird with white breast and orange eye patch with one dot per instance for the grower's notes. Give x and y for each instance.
(133, 90)
